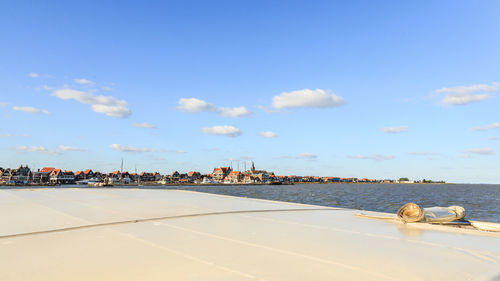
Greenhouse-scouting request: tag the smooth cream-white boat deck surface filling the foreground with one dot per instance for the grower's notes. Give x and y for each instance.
(138, 234)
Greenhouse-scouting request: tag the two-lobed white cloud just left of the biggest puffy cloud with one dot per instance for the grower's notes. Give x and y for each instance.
(197, 105)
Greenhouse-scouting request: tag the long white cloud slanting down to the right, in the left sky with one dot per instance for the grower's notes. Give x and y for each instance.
(107, 105)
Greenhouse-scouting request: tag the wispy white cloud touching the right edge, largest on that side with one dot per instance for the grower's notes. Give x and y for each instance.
(462, 95)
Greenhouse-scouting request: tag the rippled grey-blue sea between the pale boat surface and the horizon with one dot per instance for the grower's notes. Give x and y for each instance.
(481, 201)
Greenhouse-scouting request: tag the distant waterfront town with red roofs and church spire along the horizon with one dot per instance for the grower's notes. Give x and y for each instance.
(23, 175)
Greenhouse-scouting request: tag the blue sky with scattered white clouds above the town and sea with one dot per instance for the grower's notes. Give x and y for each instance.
(368, 89)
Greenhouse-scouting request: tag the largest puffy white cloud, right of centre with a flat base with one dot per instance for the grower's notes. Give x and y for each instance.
(306, 98)
